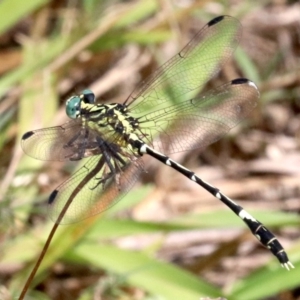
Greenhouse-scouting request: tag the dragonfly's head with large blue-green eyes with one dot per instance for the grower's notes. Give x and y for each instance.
(73, 104)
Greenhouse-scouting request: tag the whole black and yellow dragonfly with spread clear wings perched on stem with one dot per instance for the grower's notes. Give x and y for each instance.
(113, 138)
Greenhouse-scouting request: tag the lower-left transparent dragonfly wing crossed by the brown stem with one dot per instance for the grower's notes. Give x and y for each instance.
(92, 189)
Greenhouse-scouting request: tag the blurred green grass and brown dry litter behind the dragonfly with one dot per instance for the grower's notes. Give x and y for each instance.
(168, 238)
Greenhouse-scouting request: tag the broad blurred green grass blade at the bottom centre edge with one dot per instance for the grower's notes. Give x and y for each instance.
(158, 278)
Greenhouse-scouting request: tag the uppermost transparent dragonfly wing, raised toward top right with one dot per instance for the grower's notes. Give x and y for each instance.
(191, 68)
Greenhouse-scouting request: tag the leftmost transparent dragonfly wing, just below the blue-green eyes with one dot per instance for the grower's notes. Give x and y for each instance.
(70, 141)
